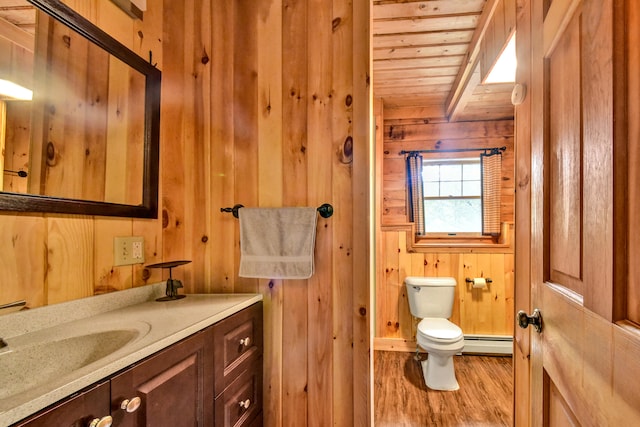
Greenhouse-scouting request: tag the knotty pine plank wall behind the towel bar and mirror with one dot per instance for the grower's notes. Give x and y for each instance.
(262, 104)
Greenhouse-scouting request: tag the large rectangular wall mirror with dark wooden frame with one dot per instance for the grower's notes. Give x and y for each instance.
(87, 142)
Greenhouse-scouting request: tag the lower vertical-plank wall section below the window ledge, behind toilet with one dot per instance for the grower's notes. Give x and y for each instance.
(487, 311)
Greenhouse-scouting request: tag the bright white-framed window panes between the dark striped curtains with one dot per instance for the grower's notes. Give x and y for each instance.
(452, 195)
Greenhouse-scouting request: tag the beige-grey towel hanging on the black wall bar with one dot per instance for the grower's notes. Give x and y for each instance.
(277, 243)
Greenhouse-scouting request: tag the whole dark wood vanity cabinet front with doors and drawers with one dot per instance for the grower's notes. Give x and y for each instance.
(212, 378)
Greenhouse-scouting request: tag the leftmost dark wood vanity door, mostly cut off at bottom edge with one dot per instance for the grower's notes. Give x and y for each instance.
(77, 411)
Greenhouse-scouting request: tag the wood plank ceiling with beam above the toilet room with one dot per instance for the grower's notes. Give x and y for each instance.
(426, 57)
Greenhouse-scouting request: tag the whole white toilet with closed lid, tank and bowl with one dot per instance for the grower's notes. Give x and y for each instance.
(431, 299)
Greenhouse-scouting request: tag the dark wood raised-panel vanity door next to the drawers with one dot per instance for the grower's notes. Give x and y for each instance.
(175, 387)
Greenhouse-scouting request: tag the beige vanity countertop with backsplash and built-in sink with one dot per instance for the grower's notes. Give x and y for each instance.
(153, 326)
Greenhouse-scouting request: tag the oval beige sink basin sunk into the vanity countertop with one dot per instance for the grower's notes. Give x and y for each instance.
(28, 365)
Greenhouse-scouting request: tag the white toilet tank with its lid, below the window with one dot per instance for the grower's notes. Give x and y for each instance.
(430, 296)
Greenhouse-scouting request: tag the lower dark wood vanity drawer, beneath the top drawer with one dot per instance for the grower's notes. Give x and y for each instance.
(241, 402)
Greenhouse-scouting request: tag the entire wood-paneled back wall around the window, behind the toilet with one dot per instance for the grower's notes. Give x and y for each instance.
(477, 311)
